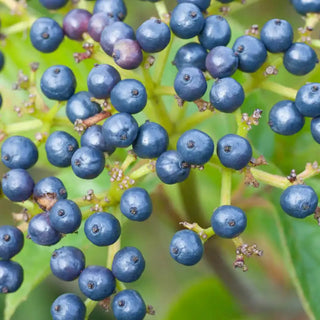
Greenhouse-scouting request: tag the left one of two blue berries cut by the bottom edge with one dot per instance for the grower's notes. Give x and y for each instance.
(68, 306)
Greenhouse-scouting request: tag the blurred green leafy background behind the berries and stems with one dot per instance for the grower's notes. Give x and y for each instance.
(282, 284)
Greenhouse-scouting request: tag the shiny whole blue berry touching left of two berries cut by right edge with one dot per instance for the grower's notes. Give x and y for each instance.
(285, 119)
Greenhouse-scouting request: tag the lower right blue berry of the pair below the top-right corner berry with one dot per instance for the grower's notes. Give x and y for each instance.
(300, 59)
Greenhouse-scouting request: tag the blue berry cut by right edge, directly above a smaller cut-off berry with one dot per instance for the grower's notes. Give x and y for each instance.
(308, 100)
